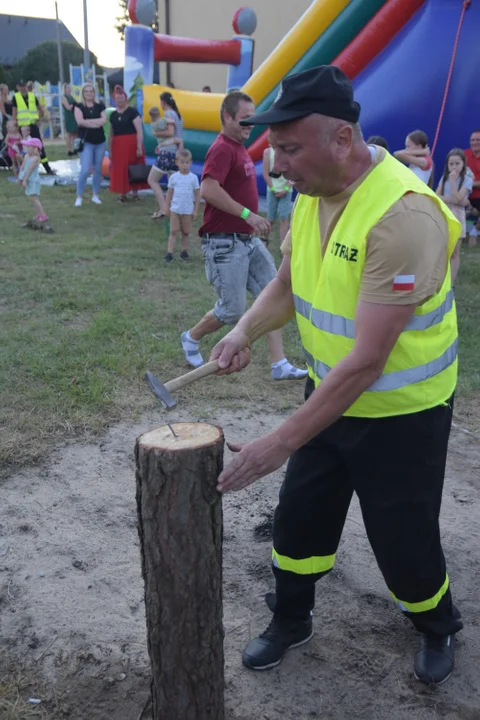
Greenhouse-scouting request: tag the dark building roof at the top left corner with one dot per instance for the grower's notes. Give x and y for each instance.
(18, 34)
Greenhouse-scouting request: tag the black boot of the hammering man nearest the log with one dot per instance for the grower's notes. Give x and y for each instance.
(268, 649)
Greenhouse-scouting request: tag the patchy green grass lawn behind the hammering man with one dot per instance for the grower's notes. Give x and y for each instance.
(85, 311)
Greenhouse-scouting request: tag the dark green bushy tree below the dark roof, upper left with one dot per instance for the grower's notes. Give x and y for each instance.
(41, 62)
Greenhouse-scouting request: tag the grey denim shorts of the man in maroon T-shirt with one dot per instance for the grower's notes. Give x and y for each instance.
(234, 266)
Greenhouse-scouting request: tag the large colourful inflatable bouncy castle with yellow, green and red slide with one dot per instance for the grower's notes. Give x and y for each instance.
(413, 64)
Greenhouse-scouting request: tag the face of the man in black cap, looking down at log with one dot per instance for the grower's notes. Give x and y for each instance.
(312, 153)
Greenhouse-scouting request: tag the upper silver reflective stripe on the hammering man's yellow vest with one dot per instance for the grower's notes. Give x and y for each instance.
(338, 325)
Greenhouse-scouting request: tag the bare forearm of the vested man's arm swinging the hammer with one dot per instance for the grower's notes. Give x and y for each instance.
(271, 310)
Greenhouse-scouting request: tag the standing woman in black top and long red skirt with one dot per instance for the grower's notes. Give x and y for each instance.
(125, 145)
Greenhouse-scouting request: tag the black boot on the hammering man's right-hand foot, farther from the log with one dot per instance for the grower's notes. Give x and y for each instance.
(435, 660)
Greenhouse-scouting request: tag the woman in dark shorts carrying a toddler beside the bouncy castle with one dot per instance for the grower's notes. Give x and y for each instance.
(170, 139)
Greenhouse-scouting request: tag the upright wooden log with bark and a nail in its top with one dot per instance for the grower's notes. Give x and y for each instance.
(180, 527)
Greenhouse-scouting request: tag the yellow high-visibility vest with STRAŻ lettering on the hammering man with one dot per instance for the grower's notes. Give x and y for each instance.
(421, 371)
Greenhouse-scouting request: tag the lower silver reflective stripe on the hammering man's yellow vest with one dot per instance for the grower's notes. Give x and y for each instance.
(400, 378)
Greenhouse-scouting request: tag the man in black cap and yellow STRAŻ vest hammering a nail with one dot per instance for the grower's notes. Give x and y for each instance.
(366, 274)
